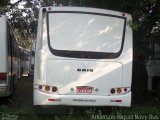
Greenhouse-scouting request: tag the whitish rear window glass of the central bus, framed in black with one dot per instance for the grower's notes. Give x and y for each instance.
(86, 32)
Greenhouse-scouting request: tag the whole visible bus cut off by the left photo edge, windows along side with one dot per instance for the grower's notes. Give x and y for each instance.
(9, 66)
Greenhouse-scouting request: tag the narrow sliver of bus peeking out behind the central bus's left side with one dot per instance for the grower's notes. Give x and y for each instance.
(31, 61)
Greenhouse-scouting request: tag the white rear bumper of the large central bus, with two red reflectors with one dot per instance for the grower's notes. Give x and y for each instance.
(42, 98)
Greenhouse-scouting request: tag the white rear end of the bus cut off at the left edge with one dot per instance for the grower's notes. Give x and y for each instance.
(4, 57)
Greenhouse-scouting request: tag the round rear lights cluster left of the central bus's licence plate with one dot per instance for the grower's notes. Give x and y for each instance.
(46, 88)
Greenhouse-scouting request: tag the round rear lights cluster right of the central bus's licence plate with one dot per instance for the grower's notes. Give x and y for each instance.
(122, 90)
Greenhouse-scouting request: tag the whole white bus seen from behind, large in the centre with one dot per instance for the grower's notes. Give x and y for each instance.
(83, 57)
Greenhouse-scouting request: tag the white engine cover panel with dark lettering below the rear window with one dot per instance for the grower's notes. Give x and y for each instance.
(101, 76)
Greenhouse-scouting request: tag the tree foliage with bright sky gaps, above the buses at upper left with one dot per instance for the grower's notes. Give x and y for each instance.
(23, 20)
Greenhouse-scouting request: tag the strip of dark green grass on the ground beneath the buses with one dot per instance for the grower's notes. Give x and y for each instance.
(144, 112)
